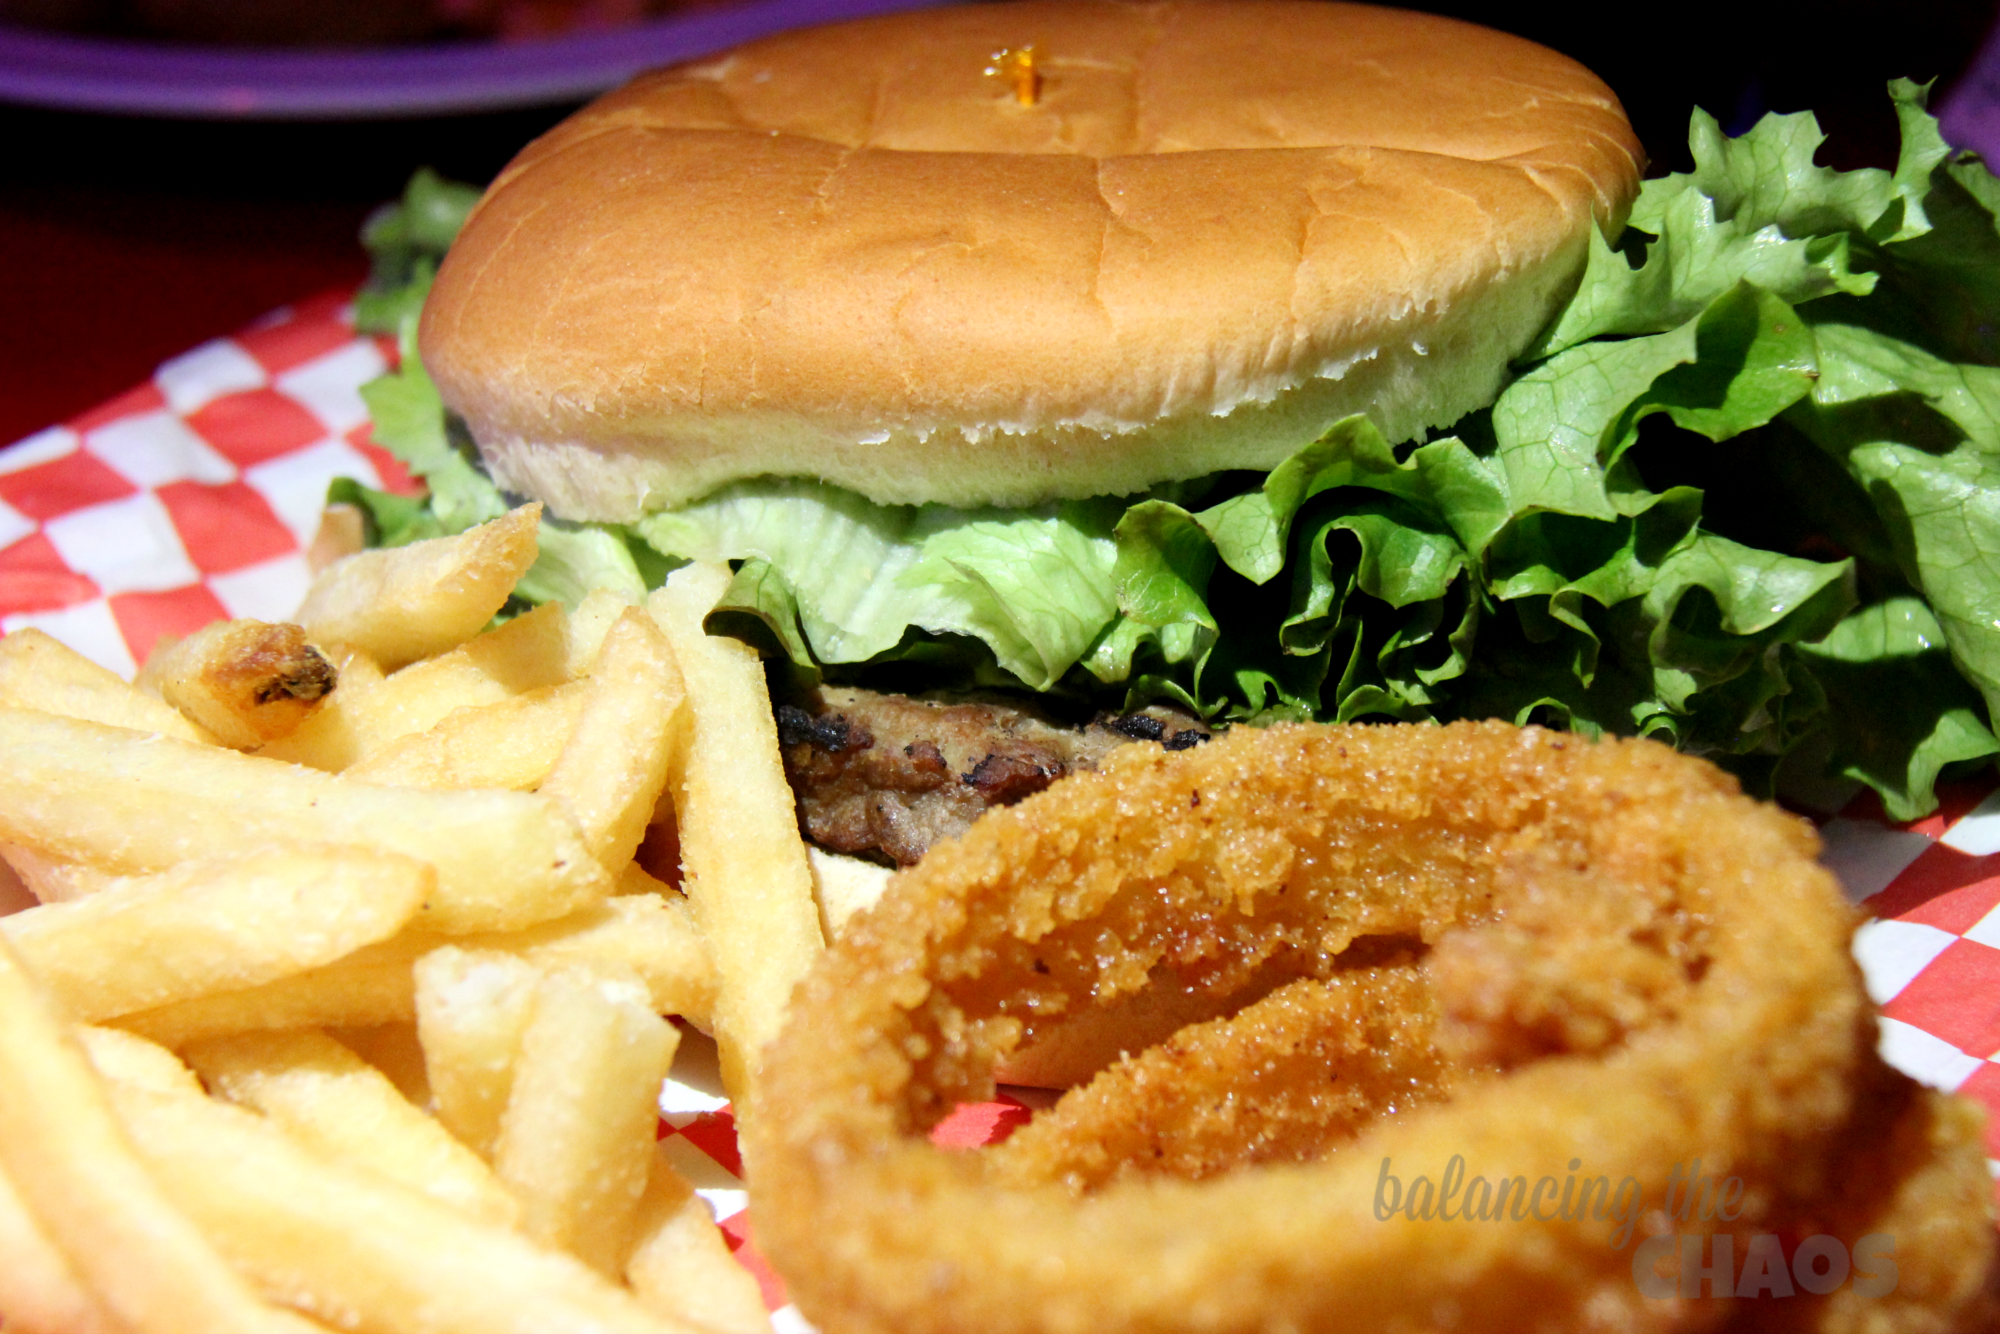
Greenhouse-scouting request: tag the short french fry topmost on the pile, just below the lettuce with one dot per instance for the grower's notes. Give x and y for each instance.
(409, 603)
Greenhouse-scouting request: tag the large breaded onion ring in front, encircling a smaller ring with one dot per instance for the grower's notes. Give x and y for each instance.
(1633, 967)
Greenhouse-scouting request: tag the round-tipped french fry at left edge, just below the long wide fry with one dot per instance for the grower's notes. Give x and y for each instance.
(215, 925)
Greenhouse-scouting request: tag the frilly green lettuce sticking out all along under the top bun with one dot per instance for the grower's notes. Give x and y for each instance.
(1741, 495)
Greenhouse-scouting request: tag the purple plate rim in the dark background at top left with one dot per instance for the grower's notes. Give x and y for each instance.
(155, 79)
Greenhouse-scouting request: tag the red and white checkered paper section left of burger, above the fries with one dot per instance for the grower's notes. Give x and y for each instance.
(191, 497)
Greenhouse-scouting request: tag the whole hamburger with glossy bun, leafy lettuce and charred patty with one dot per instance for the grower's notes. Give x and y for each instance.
(1195, 363)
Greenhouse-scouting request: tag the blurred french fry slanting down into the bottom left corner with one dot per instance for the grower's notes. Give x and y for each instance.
(79, 1177)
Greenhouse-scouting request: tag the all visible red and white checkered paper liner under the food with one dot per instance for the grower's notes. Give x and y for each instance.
(193, 499)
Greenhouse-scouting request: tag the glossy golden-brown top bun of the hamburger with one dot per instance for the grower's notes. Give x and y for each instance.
(855, 255)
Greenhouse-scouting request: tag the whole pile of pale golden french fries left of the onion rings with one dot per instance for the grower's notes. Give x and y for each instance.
(343, 997)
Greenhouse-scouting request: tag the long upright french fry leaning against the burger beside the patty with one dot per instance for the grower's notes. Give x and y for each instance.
(739, 831)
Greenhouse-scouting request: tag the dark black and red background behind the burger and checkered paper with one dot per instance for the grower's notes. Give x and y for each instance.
(129, 241)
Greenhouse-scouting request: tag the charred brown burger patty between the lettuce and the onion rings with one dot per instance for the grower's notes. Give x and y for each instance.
(885, 775)
